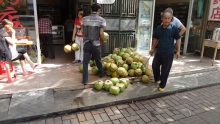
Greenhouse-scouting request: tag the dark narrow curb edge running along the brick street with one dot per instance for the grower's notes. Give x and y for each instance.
(87, 108)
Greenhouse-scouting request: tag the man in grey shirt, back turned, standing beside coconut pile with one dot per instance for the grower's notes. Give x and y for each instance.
(93, 36)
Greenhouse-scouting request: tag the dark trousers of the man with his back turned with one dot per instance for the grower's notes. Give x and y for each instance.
(90, 50)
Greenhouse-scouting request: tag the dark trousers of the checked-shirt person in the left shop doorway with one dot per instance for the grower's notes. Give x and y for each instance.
(46, 41)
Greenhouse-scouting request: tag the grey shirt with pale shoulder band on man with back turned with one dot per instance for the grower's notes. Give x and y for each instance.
(91, 28)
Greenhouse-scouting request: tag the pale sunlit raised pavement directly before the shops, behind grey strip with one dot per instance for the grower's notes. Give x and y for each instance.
(66, 76)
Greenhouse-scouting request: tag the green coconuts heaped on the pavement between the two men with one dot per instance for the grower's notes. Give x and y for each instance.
(121, 64)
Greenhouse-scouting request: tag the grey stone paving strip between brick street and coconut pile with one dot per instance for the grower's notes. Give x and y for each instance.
(45, 103)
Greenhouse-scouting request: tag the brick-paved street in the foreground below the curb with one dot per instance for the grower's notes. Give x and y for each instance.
(200, 106)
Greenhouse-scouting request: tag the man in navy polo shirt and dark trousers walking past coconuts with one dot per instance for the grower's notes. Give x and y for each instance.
(164, 40)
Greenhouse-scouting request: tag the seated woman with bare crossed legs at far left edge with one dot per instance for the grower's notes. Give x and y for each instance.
(19, 53)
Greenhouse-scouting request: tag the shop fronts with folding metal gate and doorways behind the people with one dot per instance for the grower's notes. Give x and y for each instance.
(130, 23)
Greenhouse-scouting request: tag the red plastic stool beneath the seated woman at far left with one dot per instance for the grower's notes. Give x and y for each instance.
(8, 68)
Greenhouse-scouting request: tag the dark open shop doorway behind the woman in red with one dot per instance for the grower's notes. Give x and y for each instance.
(61, 10)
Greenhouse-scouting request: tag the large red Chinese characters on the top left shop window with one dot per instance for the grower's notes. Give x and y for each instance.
(9, 12)
